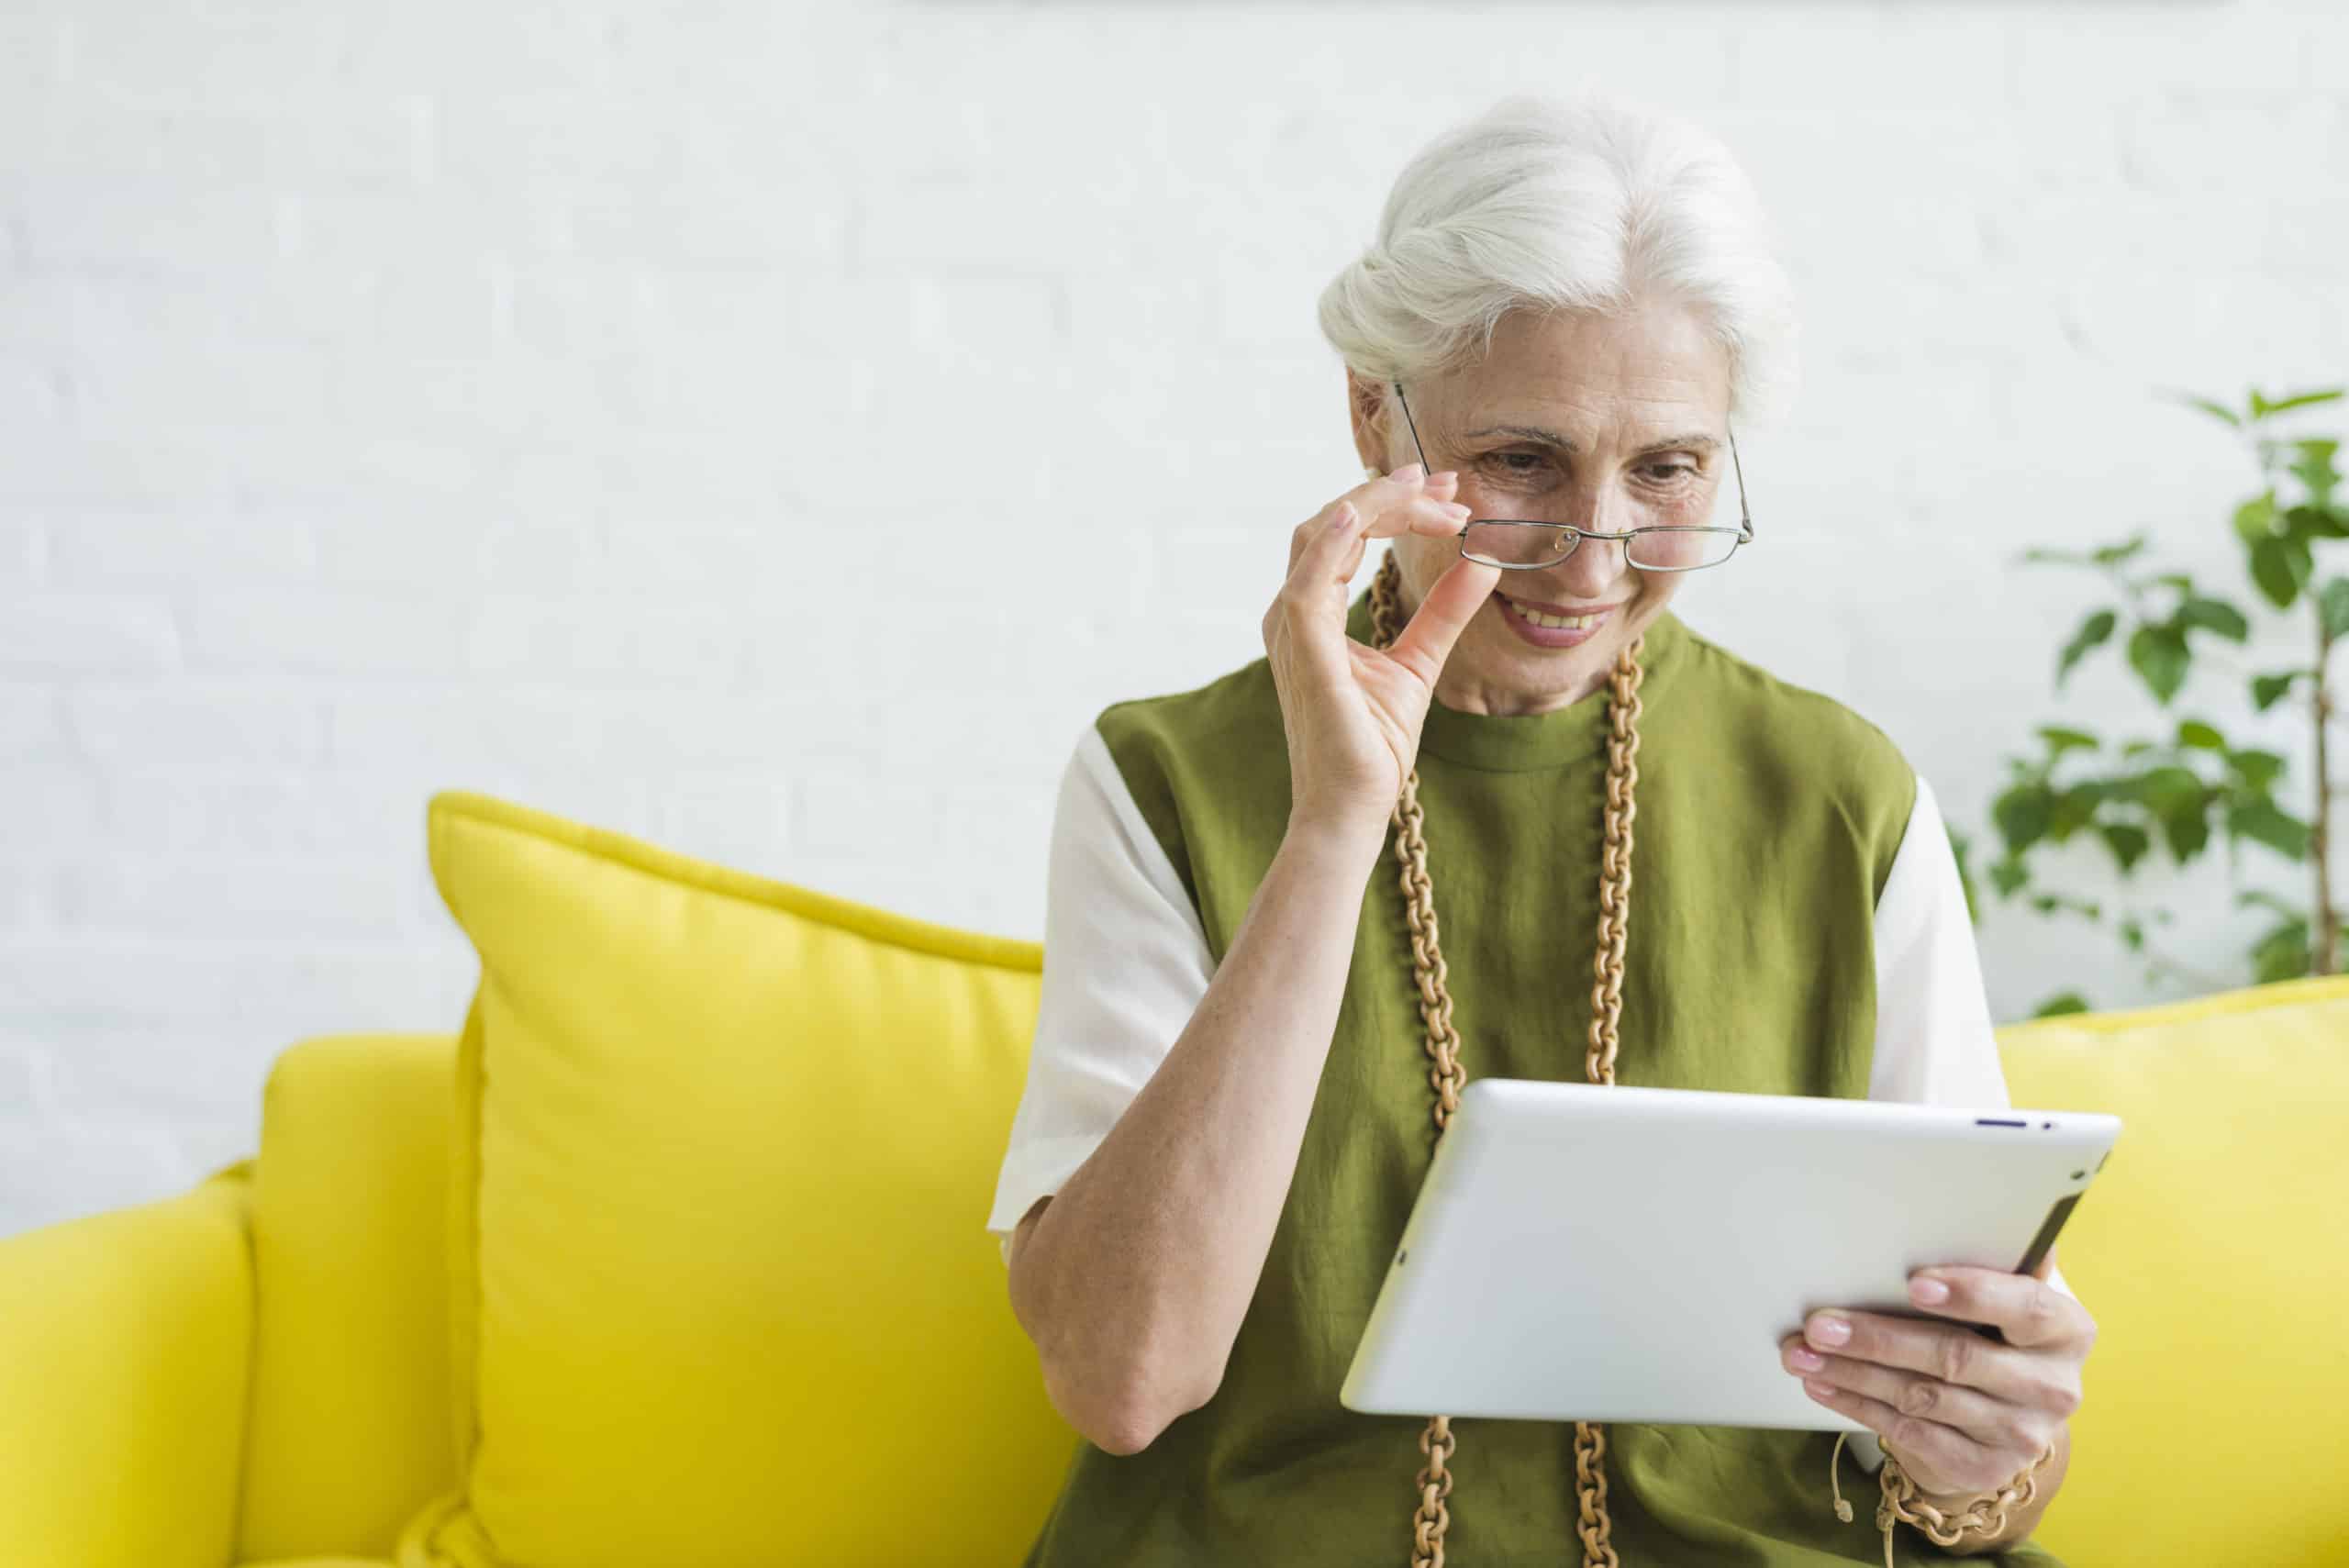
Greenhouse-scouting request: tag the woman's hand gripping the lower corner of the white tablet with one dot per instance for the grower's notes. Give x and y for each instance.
(1960, 1412)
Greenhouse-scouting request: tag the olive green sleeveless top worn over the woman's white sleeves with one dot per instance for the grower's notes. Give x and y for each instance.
(1768, 825)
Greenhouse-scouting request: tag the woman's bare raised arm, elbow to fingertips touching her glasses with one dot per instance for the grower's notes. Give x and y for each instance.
(1136, 1276)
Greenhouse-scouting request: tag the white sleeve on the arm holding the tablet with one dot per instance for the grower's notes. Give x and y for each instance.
(1934, 1036)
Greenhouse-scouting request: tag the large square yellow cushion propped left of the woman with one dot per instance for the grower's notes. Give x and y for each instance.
(720, 1191)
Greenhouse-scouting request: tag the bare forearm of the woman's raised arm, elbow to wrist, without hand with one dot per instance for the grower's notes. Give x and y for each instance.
(1136, 1276)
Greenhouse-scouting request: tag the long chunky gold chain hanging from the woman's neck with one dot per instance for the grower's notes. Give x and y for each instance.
(1448, 1079)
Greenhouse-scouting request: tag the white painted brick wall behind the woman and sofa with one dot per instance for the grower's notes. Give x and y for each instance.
(532, 400)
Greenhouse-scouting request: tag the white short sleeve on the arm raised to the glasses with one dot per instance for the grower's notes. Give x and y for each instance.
(1124, 968)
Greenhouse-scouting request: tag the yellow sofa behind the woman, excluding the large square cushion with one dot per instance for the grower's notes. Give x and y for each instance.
(257, 1372)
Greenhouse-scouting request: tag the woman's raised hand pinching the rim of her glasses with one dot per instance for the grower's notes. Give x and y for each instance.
(1354, 712)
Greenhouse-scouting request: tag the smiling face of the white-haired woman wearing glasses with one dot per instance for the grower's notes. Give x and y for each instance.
(1606, 424)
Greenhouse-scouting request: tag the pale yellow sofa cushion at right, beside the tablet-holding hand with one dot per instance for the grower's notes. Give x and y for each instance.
(2212, 1255)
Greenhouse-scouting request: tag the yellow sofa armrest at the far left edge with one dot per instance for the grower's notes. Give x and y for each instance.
(126, 1349)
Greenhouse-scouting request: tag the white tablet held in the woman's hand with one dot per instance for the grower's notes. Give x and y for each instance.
(1638, 1255)
